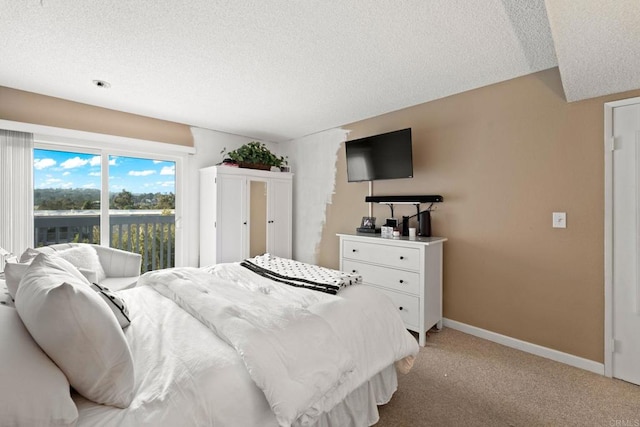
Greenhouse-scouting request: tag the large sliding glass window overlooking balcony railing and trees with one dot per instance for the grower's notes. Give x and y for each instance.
(102, 197)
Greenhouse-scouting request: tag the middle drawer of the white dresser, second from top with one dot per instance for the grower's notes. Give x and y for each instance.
(399, 280)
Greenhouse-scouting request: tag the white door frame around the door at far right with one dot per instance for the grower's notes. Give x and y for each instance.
(608, 230)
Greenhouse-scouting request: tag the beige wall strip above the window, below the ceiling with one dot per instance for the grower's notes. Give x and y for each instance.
(28, 107)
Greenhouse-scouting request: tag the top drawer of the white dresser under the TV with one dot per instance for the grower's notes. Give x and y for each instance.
(393, 256)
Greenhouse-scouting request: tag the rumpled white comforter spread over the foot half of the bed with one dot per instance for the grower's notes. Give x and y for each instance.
(293, 342)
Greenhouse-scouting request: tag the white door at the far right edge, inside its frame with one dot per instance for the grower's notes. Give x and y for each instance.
(626, 243)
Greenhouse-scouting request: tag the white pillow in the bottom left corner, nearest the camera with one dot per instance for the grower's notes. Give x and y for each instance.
(34, 391)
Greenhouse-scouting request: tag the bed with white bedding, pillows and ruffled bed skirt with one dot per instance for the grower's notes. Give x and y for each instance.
(218, 346)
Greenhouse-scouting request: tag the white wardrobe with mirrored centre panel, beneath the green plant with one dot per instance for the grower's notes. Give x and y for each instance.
(244, 213)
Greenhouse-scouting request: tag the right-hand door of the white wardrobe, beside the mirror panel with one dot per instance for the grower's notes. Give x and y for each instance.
(279, 221)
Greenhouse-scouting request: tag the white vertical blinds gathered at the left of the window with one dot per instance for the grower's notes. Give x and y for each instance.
(16, 192)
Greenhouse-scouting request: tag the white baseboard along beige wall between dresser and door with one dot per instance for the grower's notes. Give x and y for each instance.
(527, 347)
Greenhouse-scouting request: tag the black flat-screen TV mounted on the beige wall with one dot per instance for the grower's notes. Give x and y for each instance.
(384, 156)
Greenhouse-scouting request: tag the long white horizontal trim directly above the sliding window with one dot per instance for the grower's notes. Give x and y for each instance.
(77, 138)
